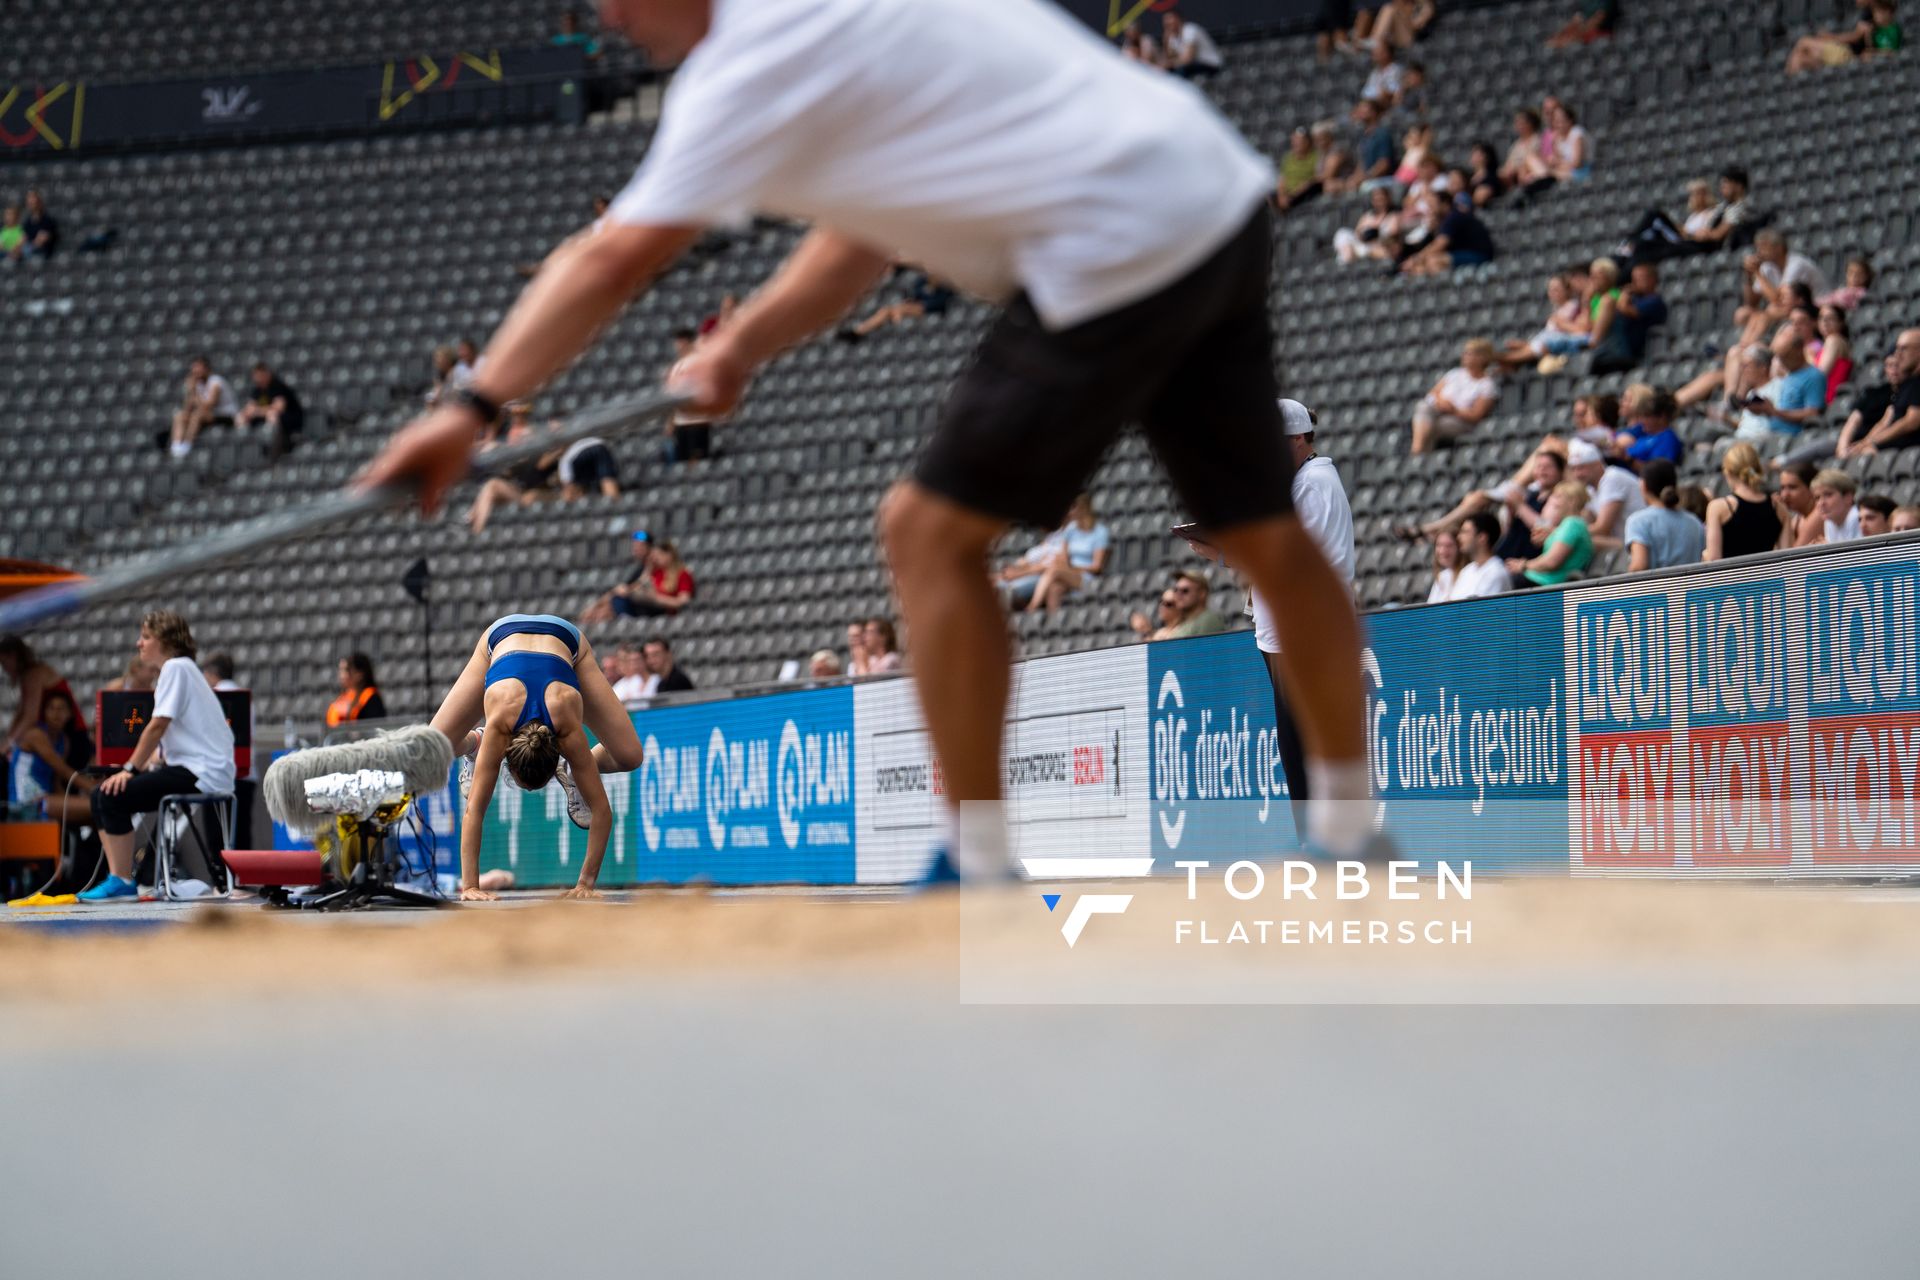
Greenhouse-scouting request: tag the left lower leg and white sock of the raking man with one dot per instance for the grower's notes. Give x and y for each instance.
(938, 552)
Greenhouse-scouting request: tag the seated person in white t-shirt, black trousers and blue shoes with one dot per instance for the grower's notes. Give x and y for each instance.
(187, 726)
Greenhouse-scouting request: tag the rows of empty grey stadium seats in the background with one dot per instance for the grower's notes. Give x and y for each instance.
(345, 264)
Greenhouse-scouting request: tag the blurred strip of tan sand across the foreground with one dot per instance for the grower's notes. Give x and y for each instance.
(1539, 941)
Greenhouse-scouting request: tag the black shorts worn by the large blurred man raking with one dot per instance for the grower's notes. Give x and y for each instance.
(1193, 364)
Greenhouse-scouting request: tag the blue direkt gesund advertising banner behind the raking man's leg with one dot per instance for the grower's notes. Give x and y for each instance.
(1466, 726)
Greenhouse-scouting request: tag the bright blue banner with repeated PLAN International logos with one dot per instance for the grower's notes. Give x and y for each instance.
(752, 792)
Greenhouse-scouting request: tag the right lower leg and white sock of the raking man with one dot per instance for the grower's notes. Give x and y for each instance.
(1320, 655)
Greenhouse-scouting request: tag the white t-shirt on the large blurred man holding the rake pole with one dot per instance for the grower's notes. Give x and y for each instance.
(997, 145)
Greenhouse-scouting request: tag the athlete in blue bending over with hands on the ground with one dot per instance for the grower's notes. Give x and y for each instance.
(529, 698)
